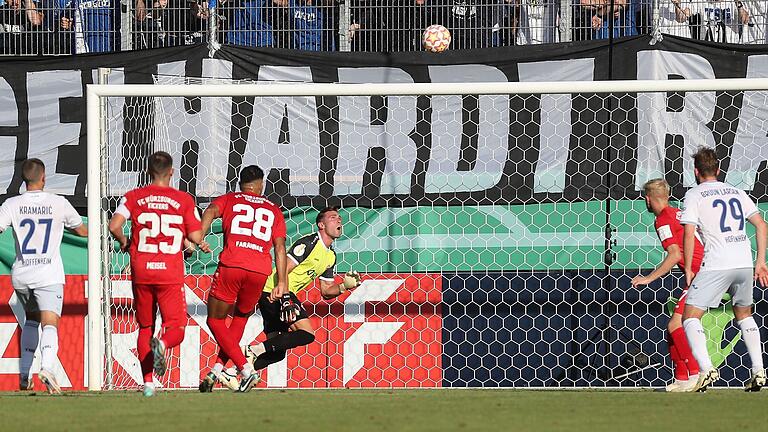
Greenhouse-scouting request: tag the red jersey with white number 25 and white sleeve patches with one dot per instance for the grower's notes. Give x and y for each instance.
(161, 219)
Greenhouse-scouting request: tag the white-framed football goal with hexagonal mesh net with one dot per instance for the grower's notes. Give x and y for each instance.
(497, 226)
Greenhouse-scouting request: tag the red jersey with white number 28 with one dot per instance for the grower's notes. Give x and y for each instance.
(250, 224)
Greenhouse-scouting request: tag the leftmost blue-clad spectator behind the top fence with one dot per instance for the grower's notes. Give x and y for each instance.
(92, 23)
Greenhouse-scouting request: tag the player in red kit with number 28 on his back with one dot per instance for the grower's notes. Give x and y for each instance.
(251, 225)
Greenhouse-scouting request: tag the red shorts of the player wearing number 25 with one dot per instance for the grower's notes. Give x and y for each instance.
(168, 297)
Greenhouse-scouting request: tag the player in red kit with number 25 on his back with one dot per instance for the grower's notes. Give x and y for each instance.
(162, 217)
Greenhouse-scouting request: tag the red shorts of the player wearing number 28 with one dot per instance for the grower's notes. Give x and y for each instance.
(235, 285)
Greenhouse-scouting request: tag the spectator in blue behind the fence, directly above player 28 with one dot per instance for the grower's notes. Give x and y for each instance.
(249, 22)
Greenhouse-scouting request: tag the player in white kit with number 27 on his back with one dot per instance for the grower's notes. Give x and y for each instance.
(38, 219)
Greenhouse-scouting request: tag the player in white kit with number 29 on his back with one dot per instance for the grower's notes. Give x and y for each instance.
(720, 211)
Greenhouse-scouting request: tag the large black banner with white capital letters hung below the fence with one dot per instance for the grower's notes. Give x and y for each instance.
(375, 151)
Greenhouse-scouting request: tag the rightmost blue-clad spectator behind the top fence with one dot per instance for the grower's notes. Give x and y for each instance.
(615, 17)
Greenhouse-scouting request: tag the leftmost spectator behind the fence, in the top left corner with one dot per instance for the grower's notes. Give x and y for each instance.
(18, 27)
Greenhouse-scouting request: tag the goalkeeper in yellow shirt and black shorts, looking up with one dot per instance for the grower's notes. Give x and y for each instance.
(285, 321)
